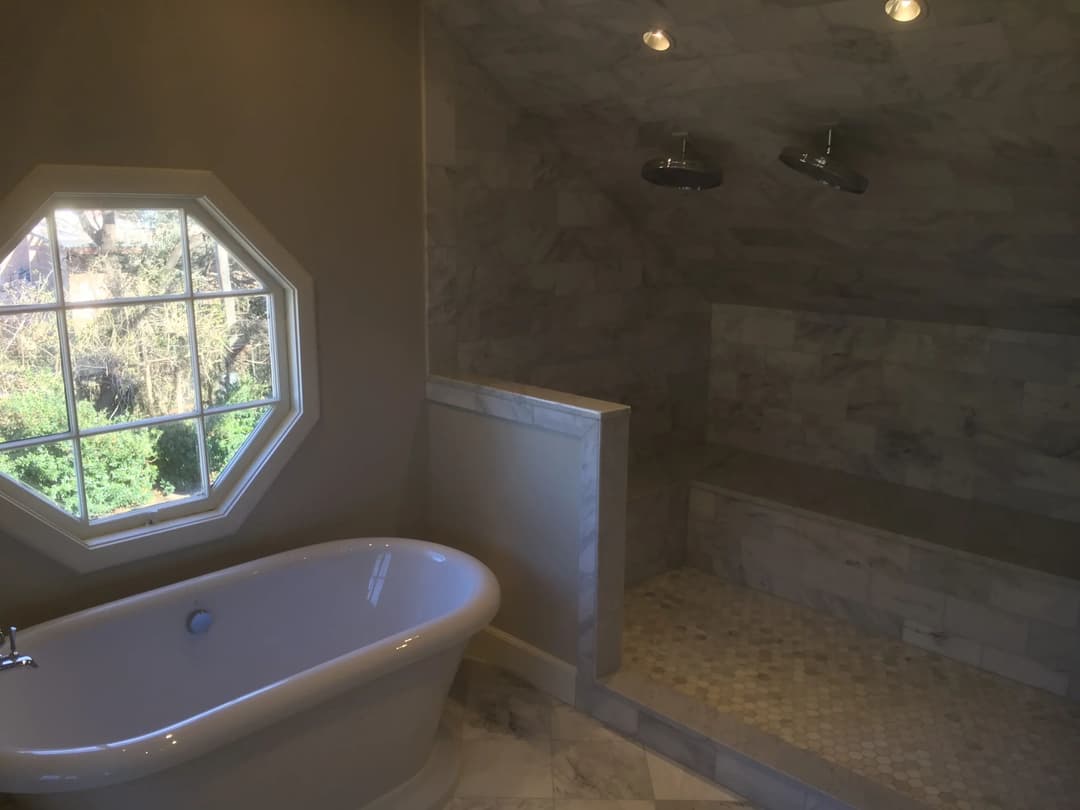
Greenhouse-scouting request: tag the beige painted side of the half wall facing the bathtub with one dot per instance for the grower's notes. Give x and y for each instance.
(509, 494)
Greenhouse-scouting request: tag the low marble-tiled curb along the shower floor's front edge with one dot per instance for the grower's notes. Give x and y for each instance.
(767, 771)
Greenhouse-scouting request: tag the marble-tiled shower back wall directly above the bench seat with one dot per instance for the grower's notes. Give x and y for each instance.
(978, 413)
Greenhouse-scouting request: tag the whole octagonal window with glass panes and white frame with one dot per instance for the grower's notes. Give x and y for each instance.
(151, 368)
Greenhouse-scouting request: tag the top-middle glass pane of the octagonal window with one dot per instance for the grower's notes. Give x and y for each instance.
(106, 255)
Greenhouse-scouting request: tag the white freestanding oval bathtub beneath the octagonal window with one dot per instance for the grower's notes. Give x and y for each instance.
(319, 684)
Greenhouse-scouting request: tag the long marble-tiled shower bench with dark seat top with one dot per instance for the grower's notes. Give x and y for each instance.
(991, 587)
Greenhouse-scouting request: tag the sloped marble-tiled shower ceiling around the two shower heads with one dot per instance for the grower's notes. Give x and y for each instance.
(967, 123)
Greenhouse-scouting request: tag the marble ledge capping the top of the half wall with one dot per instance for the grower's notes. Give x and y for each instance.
(524, 404)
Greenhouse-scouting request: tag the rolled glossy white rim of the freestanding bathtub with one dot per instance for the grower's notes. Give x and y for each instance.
(103, 765)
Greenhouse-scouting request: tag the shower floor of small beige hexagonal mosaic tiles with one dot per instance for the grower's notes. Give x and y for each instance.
(940, 733)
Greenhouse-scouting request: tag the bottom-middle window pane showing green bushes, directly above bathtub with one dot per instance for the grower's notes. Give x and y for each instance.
(141, 467)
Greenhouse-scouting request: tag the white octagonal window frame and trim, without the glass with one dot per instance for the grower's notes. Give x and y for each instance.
(87, 546)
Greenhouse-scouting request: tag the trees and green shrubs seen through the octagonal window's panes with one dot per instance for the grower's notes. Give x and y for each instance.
(130, 362)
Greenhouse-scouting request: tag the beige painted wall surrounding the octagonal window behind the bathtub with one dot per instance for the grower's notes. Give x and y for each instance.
(310, 113)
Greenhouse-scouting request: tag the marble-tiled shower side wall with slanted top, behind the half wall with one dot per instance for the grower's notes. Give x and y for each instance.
(536, 276)
